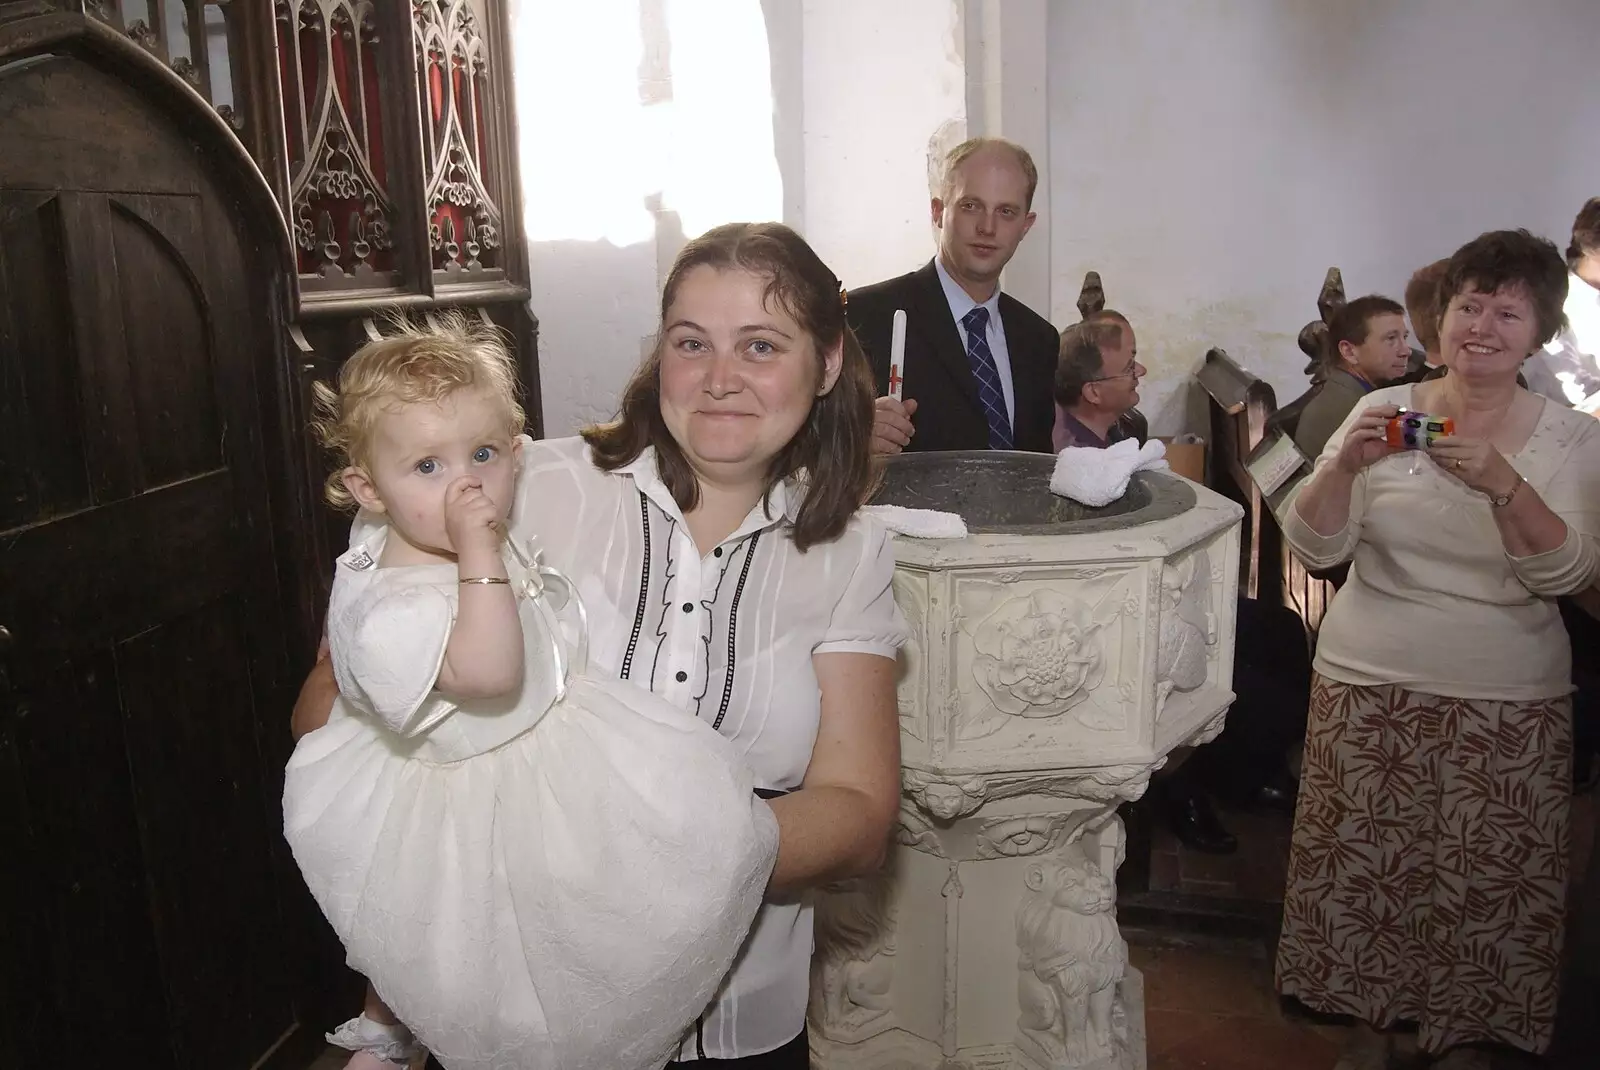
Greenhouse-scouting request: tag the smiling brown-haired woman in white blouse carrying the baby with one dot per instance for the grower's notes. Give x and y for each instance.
(711, 533)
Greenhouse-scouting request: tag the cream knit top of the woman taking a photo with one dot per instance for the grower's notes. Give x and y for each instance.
(1434, 604)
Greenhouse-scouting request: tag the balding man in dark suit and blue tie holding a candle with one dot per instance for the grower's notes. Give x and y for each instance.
(980, 365)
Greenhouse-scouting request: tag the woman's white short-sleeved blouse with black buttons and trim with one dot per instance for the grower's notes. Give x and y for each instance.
(729, 637)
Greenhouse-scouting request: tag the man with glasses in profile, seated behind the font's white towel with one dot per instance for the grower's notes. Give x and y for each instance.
(1097, 383)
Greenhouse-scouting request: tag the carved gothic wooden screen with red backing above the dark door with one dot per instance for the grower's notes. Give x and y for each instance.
(385, 129)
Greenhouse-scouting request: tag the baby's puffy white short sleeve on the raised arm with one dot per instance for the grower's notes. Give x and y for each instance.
(388, 649)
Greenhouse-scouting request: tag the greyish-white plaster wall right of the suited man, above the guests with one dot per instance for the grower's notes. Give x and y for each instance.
(1212, 159)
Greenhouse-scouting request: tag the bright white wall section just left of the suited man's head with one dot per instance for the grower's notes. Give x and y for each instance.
(879, 79)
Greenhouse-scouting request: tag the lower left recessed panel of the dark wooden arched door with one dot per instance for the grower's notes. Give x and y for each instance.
(86, 904)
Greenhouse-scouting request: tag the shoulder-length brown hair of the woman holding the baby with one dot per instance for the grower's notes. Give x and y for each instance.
(831, 453)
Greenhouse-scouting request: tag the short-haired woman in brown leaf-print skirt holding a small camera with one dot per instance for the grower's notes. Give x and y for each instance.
(1428, 871)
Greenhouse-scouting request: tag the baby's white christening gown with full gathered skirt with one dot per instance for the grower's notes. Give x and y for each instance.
(558, 880)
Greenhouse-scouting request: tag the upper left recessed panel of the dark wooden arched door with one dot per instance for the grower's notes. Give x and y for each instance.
(42, 466)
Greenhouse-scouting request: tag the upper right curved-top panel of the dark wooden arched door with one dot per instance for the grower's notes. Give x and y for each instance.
(159, 242)
